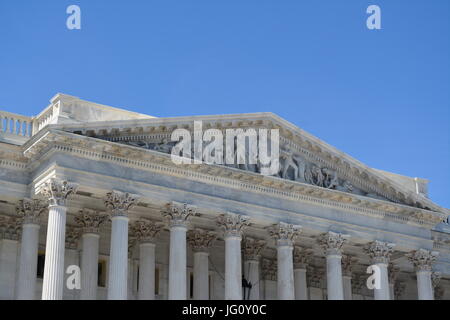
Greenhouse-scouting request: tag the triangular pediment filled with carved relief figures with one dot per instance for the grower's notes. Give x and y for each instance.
(304, 158)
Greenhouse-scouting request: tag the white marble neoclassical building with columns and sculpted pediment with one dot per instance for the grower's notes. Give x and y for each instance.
(90, 191)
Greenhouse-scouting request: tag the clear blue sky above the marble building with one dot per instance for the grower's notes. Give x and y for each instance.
(382, 96)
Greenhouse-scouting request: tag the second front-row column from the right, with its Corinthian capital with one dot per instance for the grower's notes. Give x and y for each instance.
(380, 253)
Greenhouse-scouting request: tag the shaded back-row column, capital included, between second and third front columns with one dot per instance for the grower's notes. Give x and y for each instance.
(146, 232)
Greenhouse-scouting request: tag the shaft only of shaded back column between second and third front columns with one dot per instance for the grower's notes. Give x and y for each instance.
(146, 271)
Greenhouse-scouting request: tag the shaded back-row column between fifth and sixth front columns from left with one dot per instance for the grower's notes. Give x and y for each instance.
(302, 258)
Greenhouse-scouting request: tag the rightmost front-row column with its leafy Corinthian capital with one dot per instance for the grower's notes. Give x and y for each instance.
(423, 260)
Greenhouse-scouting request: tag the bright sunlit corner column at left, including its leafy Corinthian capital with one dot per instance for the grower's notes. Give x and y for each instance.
(57, 192)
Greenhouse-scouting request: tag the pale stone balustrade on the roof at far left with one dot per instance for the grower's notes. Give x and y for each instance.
(15, 128)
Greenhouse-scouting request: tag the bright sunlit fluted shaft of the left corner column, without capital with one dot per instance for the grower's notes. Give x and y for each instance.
(52, 288)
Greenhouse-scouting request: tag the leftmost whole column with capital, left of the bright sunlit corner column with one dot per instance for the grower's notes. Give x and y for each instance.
(30, 211)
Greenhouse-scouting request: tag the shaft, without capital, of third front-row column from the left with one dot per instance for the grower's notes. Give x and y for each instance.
(177, 263)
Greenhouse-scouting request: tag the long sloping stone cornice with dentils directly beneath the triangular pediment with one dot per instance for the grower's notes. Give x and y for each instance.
(91, 148)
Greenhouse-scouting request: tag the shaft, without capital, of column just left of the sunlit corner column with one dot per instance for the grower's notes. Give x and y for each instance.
(26, 282)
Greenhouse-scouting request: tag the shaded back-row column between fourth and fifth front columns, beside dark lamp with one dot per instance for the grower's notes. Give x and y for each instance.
(252, 253)
